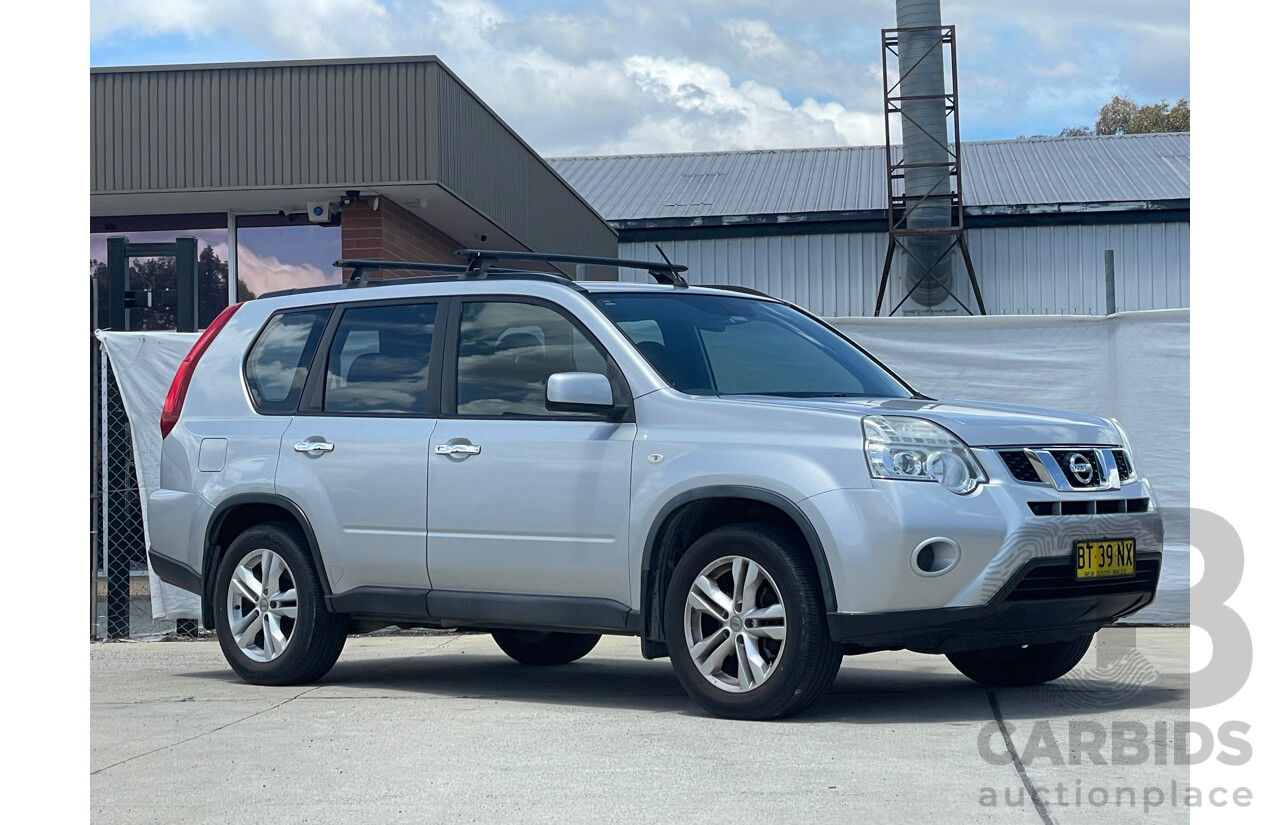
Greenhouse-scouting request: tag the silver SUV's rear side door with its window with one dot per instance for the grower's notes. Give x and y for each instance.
(355, 459)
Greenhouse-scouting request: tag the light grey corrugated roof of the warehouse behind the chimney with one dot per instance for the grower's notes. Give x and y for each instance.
(852, 178)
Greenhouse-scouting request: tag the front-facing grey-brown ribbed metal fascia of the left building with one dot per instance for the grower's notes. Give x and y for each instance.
(284, 126)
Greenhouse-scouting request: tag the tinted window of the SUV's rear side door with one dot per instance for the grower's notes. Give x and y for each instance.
(380, 360)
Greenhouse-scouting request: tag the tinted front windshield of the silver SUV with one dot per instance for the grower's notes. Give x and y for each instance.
(737, 346)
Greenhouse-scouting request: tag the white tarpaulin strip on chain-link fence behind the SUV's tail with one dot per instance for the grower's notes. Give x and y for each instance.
(144, 365)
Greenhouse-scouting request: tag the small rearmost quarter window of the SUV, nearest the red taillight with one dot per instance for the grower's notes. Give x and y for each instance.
(278, 364)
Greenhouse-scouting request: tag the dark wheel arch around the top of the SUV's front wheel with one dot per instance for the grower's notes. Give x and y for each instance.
(693, 514)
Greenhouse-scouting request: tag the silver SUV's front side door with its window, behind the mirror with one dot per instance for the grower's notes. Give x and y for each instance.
(525, 501)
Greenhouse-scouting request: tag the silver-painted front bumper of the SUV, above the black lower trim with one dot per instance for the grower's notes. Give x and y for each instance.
(871, 538)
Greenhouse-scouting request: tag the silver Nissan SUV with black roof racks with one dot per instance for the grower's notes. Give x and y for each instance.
(714, 471)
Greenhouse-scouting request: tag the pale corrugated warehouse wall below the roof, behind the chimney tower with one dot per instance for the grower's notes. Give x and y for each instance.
(1022, 271)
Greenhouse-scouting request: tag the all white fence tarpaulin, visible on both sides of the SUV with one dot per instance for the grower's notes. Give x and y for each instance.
(1135, 368)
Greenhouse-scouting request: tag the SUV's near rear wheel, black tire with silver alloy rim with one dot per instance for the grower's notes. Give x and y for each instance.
(314, 638)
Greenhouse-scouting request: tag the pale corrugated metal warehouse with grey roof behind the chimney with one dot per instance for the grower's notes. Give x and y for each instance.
(811, 226)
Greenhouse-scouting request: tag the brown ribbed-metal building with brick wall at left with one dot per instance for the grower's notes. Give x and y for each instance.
(281, 168)
